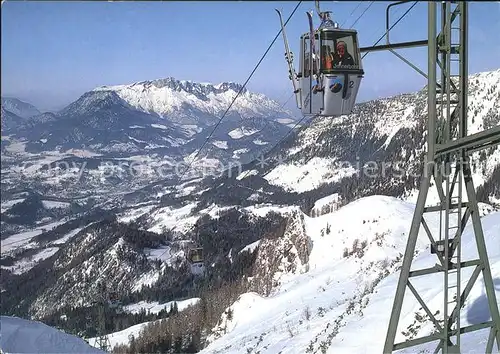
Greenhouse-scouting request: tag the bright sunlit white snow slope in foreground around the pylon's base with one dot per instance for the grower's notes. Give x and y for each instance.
(337, 304)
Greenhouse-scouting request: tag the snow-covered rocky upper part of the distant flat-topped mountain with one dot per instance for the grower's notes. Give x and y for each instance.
(188, 102)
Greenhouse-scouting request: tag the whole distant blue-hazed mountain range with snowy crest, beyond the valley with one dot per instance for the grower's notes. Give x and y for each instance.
(148, 115)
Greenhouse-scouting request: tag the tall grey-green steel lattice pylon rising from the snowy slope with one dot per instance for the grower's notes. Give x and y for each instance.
(448, 164)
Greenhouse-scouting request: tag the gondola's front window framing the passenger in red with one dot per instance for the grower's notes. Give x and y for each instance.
(339, 51)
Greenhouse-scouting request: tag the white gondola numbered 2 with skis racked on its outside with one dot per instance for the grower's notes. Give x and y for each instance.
(328, 80)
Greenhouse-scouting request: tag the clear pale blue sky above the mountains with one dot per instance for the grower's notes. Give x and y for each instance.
(52, 52)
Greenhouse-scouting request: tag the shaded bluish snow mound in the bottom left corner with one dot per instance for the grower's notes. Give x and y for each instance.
(24, 336)
